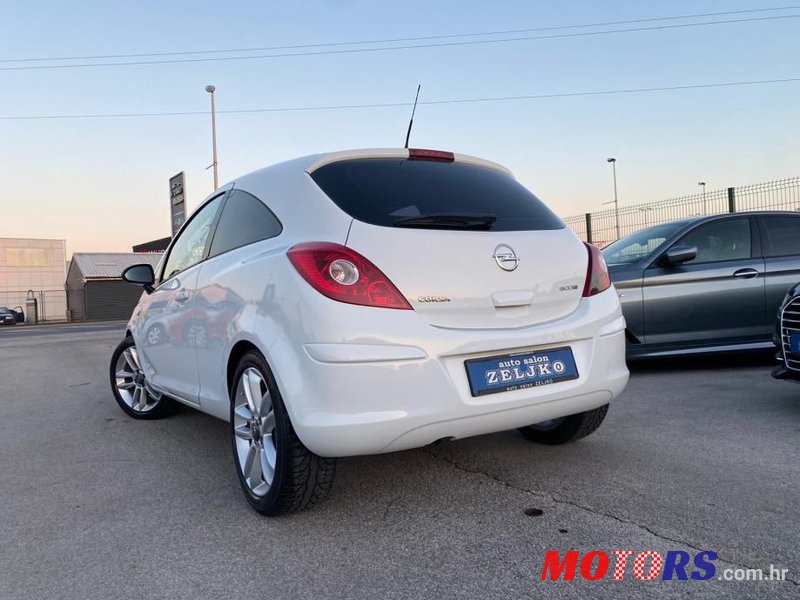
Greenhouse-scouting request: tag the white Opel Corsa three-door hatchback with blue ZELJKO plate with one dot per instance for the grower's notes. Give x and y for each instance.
(370, 301)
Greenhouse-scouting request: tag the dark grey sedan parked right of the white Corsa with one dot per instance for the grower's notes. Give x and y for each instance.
(705, 284)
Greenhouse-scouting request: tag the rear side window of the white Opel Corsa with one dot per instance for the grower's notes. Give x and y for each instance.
(244, 220)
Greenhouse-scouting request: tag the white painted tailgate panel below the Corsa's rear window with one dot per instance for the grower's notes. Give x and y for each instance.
(452, 279)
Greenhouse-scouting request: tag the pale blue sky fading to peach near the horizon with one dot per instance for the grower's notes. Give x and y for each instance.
(101, 182)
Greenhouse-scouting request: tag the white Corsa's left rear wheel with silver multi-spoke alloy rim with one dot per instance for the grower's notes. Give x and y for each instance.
(278, 474)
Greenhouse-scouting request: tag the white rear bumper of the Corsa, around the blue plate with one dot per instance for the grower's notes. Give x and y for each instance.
(350, 398)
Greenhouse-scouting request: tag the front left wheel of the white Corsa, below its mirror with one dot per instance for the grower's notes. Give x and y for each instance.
(130, 388)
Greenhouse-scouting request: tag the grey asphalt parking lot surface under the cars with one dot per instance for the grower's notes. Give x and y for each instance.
(695, 455)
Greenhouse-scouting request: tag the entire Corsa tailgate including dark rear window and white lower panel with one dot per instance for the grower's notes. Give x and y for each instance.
(462, 240)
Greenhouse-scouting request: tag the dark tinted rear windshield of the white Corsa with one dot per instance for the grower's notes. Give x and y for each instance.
(383, 191)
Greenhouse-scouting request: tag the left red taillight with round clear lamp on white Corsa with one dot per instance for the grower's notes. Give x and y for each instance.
(343, 274)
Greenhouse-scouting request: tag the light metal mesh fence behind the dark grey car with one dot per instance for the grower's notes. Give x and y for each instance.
(600, 228)
